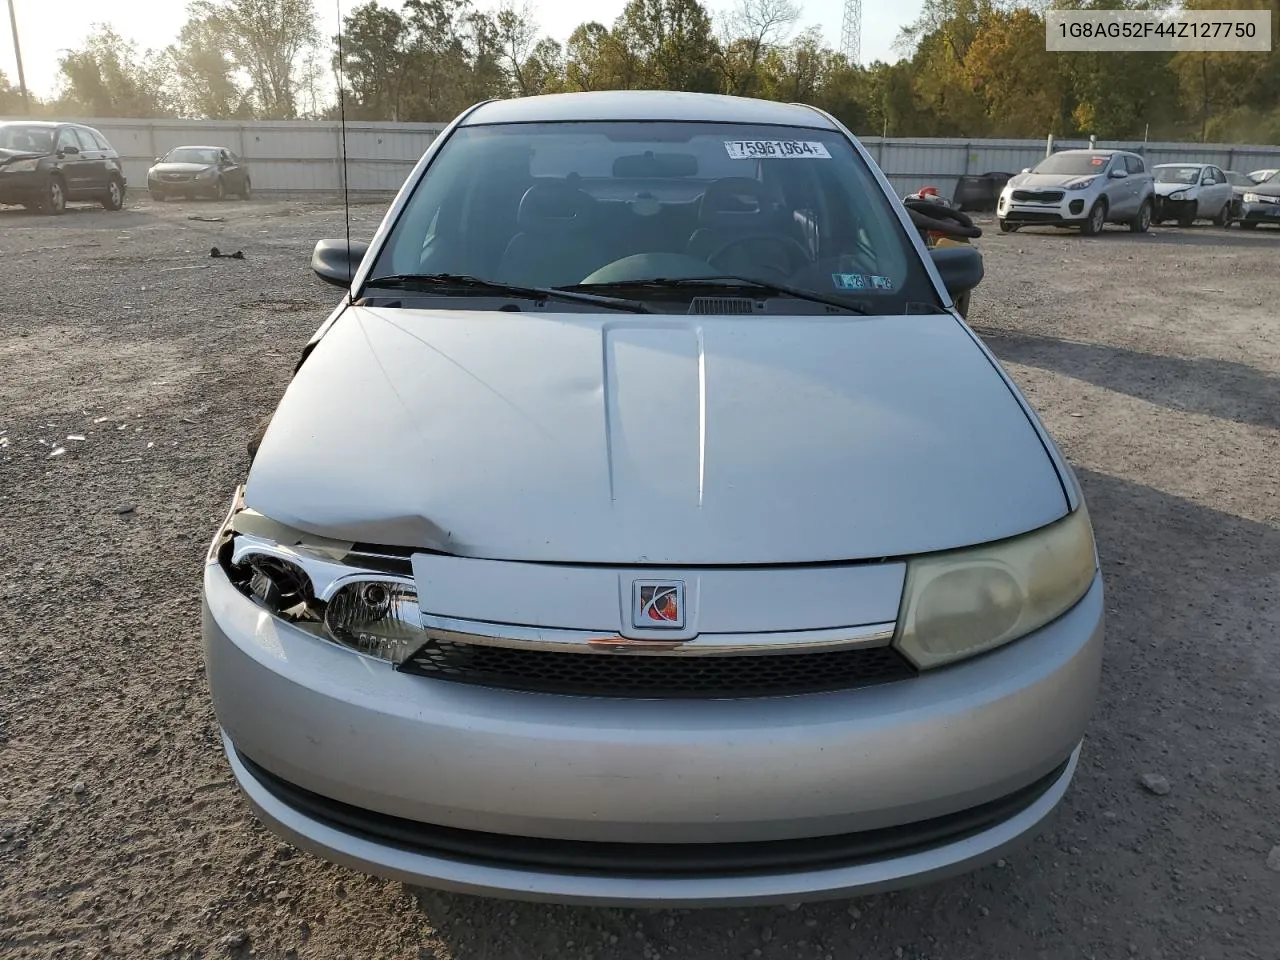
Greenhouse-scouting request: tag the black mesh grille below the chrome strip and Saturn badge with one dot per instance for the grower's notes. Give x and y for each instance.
(601, 674)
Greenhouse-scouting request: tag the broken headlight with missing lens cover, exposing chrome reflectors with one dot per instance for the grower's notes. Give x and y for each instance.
(319, 588)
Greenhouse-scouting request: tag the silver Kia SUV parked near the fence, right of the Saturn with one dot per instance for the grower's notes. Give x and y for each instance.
(1085, 189)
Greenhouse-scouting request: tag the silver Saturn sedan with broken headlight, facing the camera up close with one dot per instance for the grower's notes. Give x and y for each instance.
(646, 527)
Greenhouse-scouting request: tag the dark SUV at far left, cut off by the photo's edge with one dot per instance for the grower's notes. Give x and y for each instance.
(45, 166)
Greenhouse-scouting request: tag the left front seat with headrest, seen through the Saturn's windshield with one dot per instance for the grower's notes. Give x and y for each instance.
(556, 244)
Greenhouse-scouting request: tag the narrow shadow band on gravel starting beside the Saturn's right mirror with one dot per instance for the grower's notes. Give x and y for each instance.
(1217, 388)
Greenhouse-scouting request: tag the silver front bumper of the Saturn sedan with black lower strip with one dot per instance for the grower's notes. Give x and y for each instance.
(341, 756)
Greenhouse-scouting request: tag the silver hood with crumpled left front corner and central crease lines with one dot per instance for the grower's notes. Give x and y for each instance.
(653, 441)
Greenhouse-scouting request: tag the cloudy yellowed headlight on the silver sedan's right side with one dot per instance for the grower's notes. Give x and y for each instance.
(966, 602)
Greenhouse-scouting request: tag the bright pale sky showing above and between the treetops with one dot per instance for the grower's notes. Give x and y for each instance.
(156, 24)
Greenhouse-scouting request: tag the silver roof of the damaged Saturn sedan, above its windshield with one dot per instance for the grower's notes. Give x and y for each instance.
(646, 106)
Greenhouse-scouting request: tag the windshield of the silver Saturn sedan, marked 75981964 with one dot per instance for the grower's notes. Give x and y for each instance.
(612, 203)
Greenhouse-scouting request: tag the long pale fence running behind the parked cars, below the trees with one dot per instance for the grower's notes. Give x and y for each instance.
(305, 157)
